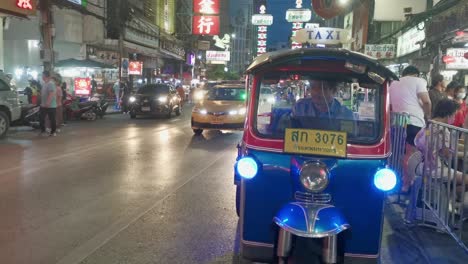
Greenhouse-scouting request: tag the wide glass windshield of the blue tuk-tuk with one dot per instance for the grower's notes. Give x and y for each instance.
(313, 102)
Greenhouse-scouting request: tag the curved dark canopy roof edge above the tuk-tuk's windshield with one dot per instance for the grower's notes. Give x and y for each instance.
(283, 56)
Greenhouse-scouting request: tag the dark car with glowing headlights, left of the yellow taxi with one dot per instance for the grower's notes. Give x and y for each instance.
(155, 99)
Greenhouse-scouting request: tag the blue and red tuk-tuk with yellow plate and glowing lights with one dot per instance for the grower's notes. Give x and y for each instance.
(311, 172)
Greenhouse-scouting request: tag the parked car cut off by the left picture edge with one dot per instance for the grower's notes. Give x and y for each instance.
(10, 107)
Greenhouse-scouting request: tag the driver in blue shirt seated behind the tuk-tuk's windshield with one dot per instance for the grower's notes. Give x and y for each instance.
(322, 103)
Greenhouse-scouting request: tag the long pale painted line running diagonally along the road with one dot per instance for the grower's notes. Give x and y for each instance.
(89, 247)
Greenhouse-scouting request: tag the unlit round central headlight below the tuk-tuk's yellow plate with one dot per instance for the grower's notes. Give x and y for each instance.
(314, 176)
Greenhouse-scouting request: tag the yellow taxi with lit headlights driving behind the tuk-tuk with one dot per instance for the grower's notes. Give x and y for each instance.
(222, 108)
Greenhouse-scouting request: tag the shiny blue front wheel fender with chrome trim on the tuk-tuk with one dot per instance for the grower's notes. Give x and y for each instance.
(311, 220)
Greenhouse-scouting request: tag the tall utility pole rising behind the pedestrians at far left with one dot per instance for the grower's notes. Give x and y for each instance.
(47, 27)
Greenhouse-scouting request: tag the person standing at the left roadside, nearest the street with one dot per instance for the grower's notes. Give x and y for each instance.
(48, 104)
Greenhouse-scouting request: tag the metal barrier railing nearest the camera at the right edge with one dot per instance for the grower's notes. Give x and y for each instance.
(438, 198)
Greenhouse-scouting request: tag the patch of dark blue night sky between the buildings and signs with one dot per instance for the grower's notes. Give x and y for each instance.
(281, 29)
